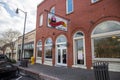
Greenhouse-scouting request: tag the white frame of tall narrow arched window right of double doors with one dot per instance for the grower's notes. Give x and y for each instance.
(74, 51)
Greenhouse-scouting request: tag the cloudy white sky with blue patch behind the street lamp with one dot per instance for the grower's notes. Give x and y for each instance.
(9, 19)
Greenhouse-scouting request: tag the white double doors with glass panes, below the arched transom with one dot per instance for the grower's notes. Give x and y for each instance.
(61, 56)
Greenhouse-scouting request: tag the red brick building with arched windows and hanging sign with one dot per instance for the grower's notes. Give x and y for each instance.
(76, 33)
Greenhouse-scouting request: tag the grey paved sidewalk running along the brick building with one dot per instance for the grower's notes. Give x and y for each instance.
(64, 73)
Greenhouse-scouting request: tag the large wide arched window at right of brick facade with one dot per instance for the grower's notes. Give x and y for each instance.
(106, 40)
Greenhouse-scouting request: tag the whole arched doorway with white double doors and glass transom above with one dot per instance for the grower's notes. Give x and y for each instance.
(61, 51)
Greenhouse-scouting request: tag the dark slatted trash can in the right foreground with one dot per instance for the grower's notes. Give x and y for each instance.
(101, 71)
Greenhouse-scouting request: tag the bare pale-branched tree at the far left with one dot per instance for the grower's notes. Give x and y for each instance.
(8, 38)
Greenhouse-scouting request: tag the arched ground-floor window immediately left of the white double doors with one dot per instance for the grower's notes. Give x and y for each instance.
(48, 48)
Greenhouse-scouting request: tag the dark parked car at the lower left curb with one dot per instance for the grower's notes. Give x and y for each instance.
(8, 70)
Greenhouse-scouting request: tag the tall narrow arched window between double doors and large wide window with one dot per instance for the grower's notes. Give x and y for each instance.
(79, 48)
